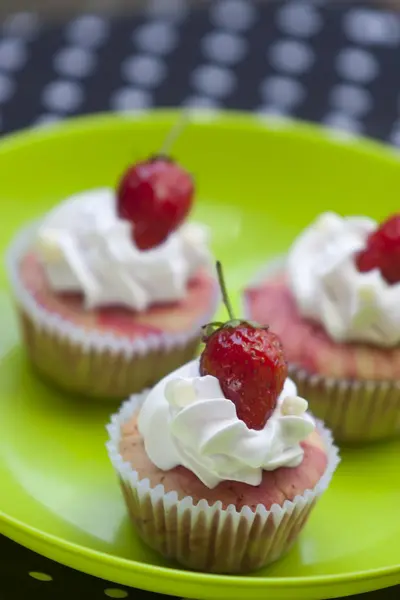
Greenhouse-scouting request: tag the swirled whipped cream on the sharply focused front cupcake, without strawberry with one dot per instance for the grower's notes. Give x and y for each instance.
(186, 420)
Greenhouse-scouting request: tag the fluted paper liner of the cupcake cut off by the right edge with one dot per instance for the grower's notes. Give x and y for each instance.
(356, 411)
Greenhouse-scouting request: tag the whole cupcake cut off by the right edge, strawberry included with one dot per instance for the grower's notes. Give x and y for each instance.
(334, 300)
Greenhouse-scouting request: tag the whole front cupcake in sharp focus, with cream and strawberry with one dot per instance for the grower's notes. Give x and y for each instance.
(220, 465)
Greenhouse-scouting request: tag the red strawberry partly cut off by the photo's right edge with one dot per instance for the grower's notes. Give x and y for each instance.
(382, 251)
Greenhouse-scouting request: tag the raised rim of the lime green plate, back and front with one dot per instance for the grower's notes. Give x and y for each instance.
(207, 118)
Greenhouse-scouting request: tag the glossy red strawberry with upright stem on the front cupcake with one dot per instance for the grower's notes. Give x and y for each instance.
(248, 361)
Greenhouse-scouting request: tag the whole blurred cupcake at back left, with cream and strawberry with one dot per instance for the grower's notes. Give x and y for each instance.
(112, 287)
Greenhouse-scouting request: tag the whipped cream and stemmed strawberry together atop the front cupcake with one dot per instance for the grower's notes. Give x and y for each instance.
(231, 414)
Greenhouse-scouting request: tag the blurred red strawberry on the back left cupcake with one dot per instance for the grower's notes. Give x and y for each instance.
(156, 196)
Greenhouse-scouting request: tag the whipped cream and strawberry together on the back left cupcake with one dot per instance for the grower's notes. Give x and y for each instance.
(129, 248)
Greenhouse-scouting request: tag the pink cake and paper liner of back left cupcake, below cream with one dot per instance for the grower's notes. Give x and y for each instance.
(158, 339)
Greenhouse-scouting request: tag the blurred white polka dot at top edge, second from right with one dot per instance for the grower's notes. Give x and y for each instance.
(298, 18)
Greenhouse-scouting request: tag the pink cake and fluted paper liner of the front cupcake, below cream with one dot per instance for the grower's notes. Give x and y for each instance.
(233, 527)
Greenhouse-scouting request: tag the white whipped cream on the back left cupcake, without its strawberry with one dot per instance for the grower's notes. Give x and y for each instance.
(85, 247)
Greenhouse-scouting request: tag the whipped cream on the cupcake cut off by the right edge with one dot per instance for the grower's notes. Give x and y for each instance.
(329, 289)
